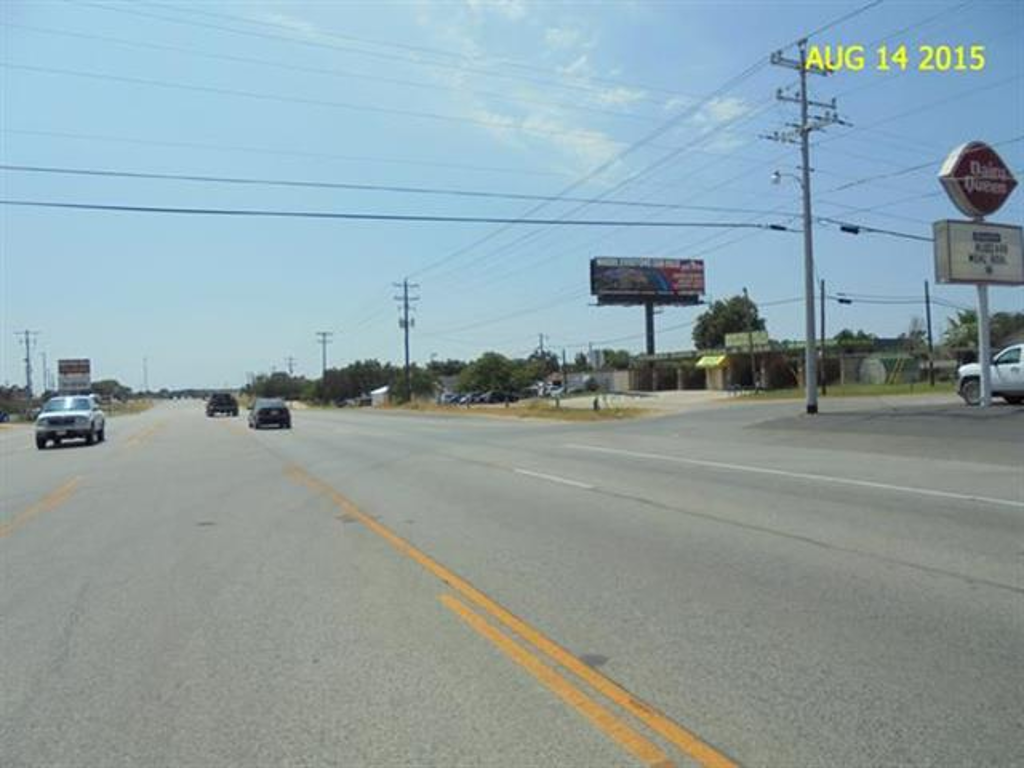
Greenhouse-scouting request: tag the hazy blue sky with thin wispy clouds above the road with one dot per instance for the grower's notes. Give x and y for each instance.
(664, 104)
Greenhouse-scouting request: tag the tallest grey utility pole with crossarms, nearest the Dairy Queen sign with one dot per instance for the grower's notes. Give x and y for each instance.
(801, 133)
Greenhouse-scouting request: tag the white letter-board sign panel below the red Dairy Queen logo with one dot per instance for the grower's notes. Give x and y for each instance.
(972, 252)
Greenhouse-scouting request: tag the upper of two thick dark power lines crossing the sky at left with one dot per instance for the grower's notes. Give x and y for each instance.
(446, 192)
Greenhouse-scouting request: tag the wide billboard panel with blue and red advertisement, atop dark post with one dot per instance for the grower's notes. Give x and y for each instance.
(639, 281)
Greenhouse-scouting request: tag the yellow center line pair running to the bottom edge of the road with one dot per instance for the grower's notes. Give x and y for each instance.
(617, 730)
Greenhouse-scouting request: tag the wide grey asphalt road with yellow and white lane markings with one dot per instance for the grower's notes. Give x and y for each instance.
(736, 585)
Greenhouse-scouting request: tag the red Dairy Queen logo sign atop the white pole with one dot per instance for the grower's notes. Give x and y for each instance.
(976, 180)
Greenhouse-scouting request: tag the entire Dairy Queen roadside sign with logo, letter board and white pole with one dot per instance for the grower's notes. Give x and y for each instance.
(978, 252)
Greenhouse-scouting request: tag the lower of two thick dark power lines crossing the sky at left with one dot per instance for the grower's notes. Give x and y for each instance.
(243, 212)
